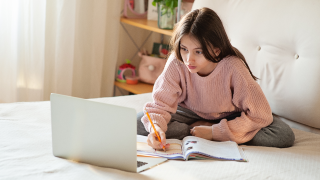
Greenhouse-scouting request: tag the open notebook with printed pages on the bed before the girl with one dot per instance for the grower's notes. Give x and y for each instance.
(192, 147)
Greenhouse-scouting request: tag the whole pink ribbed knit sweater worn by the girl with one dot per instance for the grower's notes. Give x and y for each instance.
(228, 89)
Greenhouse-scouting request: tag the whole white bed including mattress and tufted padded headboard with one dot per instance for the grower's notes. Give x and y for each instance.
(283, 51)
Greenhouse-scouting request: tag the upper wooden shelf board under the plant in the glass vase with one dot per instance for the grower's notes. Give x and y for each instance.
(146, 24)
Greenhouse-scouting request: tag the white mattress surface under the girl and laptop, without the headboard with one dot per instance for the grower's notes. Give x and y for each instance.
(25, 153)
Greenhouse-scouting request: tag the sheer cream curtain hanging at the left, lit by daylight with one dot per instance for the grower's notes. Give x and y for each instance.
(63, 46)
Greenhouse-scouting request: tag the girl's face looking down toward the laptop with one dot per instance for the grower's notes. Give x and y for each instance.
(193, 58)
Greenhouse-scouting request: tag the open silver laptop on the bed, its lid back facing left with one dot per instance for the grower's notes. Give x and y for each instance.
(96, 133)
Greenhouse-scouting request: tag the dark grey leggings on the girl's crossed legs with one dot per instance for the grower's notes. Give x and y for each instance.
(277, 134)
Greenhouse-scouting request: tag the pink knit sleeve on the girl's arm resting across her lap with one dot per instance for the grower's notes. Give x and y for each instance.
(250, 99)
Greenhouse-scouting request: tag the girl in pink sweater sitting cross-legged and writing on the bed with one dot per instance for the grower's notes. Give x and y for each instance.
(208, 90)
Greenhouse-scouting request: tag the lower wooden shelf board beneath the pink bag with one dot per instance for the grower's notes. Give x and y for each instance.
(139, 88)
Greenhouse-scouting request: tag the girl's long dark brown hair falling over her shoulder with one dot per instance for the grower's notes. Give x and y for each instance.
(205, 25)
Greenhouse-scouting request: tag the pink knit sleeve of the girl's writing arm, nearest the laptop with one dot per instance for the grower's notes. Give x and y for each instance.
(166, 93)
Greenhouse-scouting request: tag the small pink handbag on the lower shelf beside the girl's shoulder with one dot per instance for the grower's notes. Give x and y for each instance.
(150, 67)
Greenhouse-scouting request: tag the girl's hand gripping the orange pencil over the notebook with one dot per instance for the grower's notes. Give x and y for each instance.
(153, 139)
